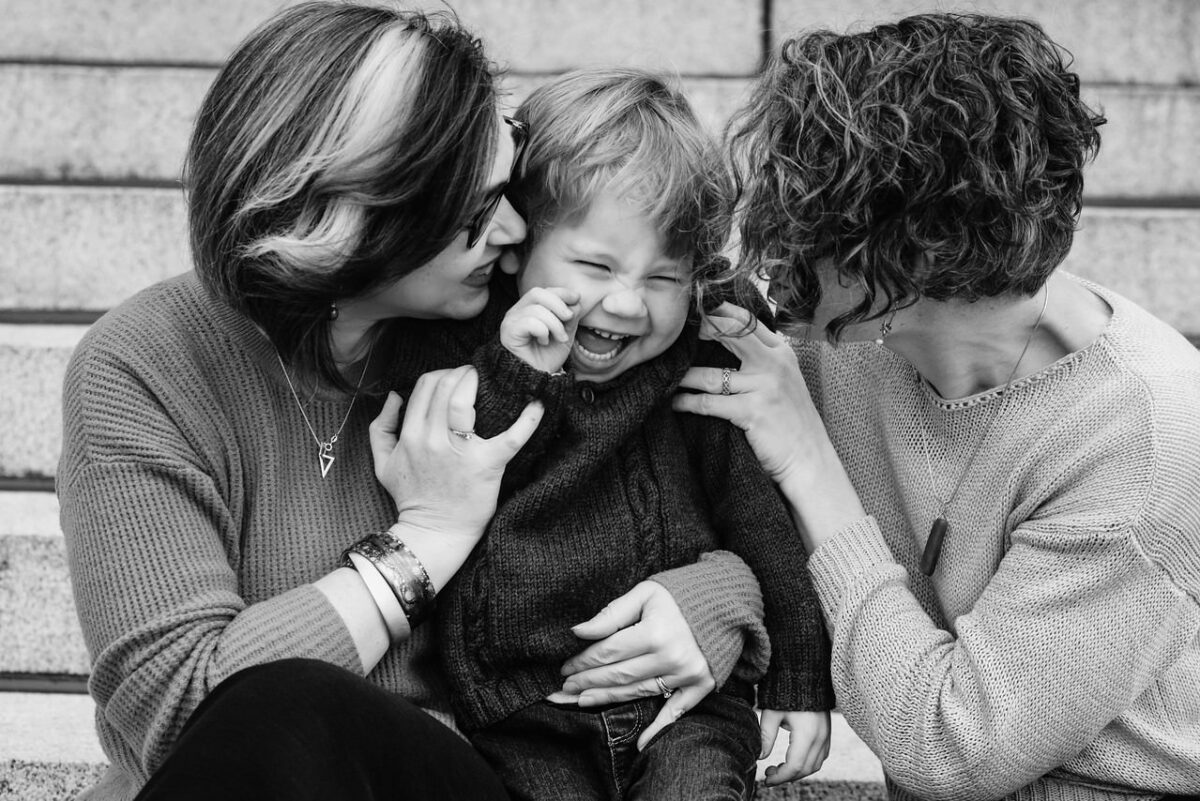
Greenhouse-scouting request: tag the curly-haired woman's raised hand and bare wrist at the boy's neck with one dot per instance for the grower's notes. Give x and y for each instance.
(769, 400)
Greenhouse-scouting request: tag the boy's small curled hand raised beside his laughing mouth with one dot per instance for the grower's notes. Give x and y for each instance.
(541, 328)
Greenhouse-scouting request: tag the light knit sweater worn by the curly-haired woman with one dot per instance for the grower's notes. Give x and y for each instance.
(1055, 653)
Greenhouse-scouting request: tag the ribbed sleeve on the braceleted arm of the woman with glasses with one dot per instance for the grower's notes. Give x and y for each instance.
(154, 580)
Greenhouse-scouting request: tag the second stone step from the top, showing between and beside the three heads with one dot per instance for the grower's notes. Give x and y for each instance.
(133, 124)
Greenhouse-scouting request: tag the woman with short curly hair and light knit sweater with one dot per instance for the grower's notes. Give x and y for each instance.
(995, 465)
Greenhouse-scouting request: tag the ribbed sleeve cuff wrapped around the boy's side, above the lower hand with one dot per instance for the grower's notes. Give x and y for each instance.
(721, 600)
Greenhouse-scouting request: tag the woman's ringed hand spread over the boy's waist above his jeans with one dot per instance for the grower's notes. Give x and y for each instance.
(643, 637)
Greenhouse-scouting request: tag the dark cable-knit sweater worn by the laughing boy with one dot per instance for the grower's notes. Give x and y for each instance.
(616, 486)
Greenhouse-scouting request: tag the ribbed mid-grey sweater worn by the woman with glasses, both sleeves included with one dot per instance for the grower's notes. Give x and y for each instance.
(196, 521)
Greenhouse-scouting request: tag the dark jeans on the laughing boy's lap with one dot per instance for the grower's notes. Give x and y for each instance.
(549, 751)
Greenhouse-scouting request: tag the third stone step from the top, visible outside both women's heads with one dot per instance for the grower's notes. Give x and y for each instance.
(97, 246)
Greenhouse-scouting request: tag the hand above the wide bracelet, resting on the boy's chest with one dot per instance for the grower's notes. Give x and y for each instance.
(443, 479)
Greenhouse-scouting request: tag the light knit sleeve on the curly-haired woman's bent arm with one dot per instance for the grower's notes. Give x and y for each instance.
(1076, 624)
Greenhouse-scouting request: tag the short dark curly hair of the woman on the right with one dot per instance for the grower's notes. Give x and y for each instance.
(940, 156)
